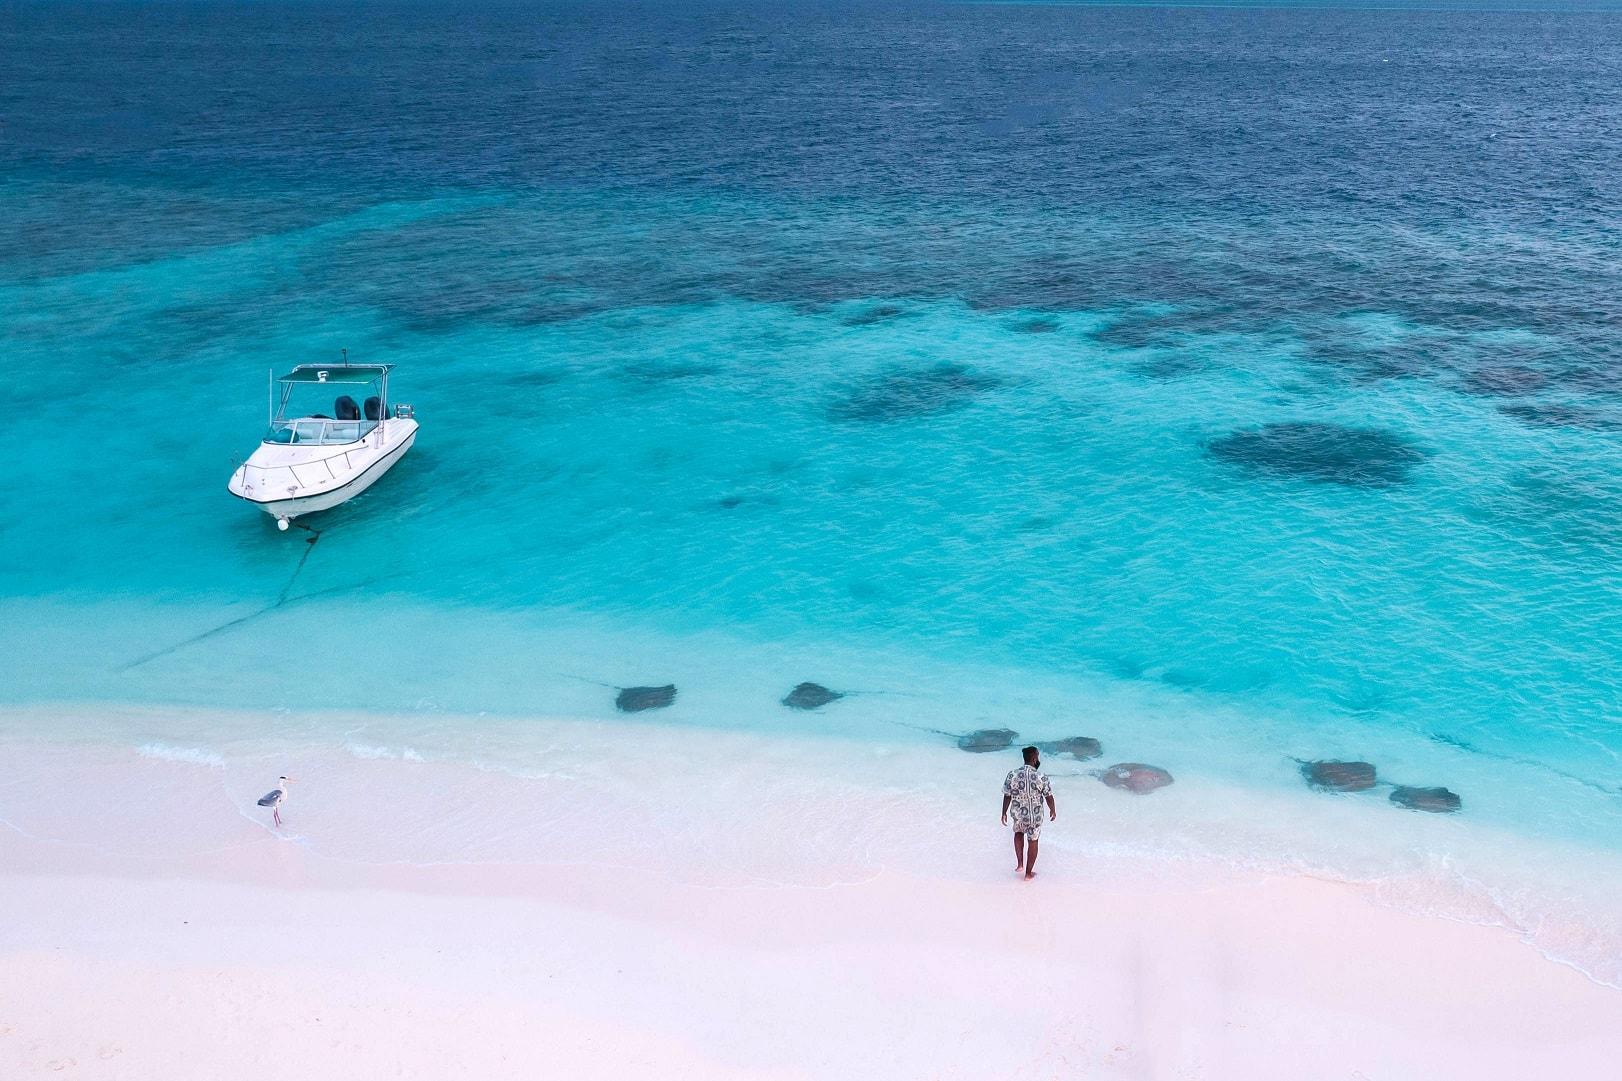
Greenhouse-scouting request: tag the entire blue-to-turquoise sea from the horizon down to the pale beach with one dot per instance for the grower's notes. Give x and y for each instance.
(1070, 368)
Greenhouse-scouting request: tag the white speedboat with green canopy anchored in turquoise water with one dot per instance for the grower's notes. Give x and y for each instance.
(312, 462)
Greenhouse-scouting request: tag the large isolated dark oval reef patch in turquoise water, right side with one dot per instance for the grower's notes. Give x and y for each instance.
(1331, 454)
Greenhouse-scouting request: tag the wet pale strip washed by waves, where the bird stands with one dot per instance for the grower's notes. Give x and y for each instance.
(377, 791)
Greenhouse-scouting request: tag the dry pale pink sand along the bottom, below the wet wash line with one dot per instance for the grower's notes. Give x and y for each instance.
(268, 957)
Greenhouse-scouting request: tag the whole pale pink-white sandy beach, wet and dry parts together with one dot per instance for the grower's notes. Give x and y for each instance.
(174, 936)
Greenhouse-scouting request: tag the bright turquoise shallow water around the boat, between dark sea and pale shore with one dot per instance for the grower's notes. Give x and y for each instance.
(1013, 489)
